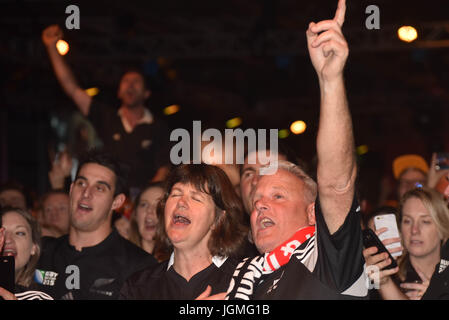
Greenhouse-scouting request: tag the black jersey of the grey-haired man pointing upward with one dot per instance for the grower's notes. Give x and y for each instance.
(328, 266)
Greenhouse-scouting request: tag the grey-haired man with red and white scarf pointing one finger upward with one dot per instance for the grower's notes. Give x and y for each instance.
(309, 233)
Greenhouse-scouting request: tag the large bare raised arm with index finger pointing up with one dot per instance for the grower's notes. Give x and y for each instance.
(337, 168)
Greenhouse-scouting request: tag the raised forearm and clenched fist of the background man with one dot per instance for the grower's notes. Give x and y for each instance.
(50, 37)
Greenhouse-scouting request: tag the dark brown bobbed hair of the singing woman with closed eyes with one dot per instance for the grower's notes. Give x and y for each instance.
(230, 230)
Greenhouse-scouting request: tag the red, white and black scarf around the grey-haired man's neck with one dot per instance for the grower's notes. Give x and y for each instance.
(248, 273)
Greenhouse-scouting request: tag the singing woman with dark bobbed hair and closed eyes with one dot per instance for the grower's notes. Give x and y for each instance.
(201, 220)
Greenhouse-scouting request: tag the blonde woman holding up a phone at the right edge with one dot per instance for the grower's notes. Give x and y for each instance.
(424, 224)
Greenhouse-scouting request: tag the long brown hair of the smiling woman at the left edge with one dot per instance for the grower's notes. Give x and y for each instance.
(25, 277)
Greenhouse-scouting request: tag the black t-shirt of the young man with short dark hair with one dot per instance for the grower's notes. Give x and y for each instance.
(96, 272)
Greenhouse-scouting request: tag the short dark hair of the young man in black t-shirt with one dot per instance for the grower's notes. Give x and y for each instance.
(111, 162)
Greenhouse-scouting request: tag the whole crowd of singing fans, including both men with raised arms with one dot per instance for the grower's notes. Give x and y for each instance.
(150, 230)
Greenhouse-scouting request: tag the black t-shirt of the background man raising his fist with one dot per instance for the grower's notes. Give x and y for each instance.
(144, 150)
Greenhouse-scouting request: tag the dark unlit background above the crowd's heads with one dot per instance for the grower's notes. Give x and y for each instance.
(221, 59)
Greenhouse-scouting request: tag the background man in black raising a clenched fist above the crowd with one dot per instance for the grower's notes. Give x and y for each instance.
(132, 132)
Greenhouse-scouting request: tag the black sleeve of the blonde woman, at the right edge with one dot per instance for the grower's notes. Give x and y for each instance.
(439, 283)
